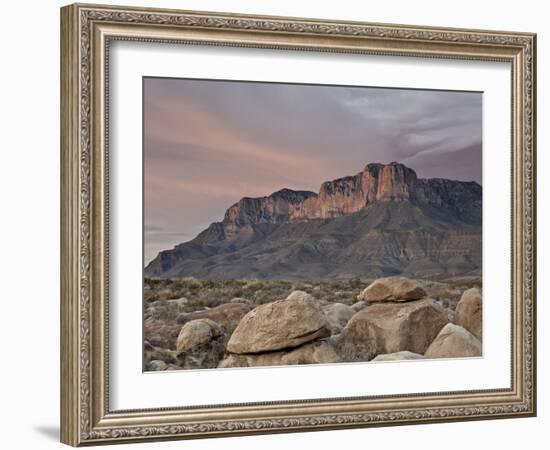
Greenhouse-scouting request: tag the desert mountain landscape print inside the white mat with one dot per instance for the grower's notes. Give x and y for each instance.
(288, 224)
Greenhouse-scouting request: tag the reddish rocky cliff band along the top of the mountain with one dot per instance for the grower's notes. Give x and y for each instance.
(376, 183)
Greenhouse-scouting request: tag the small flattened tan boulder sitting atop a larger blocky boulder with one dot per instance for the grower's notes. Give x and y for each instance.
(395, 289)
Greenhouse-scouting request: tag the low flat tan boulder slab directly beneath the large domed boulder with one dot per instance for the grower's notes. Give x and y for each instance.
(318, 352)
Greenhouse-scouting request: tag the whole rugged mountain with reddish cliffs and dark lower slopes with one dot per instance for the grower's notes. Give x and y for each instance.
(382, 221)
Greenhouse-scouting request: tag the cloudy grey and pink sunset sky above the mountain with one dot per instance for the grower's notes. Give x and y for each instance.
(208, 143)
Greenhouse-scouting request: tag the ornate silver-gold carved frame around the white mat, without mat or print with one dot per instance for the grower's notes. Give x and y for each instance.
(86, 31)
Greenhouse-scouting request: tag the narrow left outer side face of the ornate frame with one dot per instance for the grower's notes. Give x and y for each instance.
(70, 299)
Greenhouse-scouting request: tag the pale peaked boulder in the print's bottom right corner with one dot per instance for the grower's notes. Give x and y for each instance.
(454, 341)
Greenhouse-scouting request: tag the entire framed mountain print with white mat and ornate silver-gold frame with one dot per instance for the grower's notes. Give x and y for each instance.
(275, 224)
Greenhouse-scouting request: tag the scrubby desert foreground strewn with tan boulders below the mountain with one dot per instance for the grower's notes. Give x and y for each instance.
(393, 318)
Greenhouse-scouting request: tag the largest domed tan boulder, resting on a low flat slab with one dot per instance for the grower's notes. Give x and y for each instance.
(281, 324)
